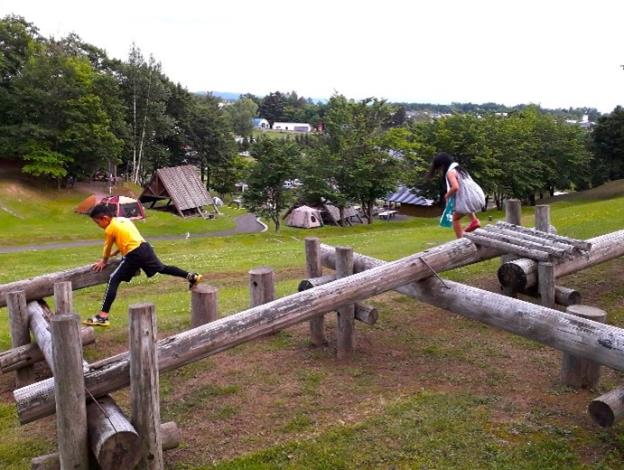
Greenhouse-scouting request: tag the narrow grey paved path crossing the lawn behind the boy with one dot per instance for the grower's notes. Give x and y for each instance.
(244, 224)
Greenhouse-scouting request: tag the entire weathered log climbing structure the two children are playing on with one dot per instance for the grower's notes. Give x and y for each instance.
(532, 262)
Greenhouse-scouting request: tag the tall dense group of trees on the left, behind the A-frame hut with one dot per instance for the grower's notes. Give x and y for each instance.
(66, 109)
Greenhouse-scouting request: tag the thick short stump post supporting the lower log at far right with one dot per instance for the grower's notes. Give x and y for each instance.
(578, 372)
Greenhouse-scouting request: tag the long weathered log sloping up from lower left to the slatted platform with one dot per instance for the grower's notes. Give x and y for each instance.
(37, 401)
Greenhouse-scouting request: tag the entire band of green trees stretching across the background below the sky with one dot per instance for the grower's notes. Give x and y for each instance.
(67, 110)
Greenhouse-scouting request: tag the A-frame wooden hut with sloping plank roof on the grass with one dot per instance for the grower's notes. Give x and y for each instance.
(180, 187)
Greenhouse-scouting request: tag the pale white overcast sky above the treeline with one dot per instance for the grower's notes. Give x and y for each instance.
(557, 53)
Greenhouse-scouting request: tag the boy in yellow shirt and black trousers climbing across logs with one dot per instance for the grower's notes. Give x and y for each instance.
(137, 254)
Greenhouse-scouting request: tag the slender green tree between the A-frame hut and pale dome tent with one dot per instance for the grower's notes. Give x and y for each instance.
(276, 162)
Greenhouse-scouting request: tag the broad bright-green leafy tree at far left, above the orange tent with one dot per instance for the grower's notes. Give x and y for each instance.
(58, 114)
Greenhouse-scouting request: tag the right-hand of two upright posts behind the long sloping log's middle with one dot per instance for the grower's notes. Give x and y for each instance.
(345, 327)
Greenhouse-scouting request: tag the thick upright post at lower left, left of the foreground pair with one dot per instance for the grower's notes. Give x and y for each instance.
(69, 391)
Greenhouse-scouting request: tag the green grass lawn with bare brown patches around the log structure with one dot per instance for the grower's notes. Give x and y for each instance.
(427, 389)
